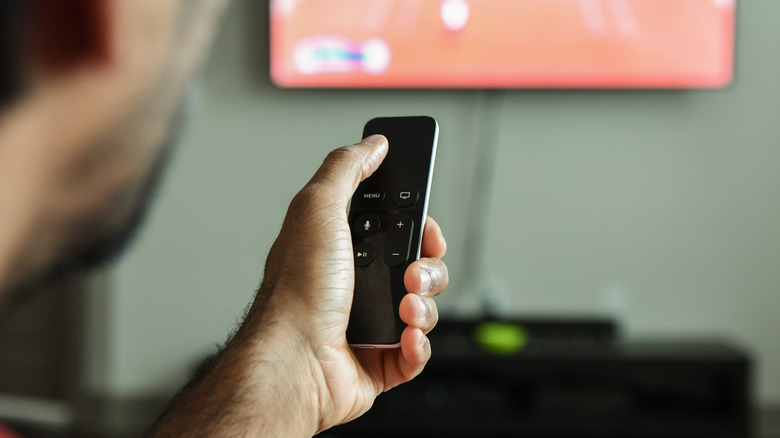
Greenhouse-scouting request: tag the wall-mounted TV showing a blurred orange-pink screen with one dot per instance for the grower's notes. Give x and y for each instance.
(502, 43)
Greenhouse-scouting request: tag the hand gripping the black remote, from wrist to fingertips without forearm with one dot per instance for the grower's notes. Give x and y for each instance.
(309, 282)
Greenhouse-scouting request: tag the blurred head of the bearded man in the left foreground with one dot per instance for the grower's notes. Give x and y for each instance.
(88, 92)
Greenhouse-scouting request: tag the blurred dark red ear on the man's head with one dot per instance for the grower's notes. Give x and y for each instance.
(66, 33)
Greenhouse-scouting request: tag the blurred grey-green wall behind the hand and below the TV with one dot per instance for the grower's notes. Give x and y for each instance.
(659, 208)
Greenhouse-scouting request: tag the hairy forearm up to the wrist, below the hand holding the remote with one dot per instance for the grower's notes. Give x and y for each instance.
(259, 385)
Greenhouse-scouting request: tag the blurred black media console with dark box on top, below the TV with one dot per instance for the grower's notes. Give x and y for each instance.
(568, 379)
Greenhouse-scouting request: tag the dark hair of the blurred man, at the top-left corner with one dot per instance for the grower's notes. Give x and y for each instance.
(12, 17)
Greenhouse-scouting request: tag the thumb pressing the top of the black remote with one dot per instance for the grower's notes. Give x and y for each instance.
(345, 167)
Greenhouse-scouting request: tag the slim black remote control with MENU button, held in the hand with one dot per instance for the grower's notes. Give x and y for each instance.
(387, 217)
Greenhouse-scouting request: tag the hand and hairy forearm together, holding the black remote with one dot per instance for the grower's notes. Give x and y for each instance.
(289, 371)
